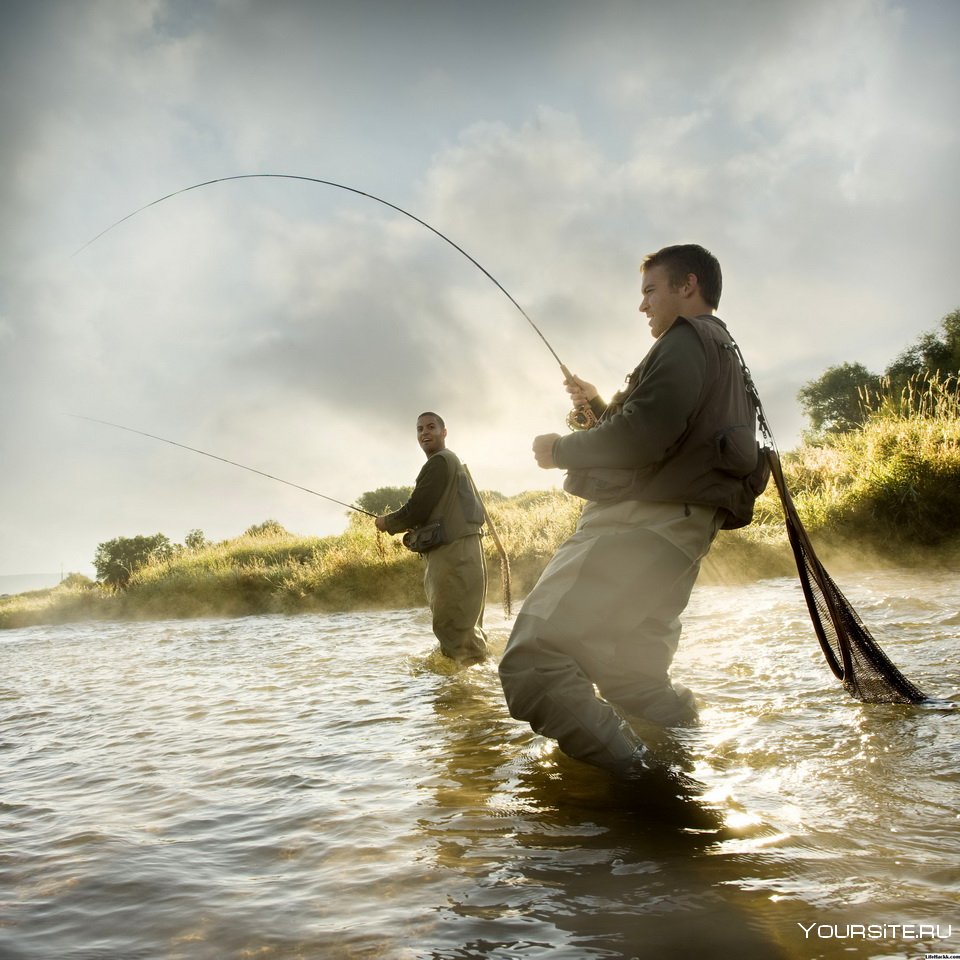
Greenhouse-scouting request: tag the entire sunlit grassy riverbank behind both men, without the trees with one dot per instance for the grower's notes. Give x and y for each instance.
(882, 495)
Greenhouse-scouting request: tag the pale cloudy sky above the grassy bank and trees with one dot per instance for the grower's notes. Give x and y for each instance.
(300, 329)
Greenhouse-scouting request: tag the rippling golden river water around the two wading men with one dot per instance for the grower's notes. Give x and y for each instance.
(322, 787)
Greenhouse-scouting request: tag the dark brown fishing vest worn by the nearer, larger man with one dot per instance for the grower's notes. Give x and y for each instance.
(717, 461)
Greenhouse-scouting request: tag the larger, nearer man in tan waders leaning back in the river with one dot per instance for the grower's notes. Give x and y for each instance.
(665, 468)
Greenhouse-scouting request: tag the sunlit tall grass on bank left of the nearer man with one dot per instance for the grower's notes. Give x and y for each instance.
(278, 572)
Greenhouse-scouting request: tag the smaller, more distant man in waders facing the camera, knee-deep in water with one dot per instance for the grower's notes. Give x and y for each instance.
(444, 516)
